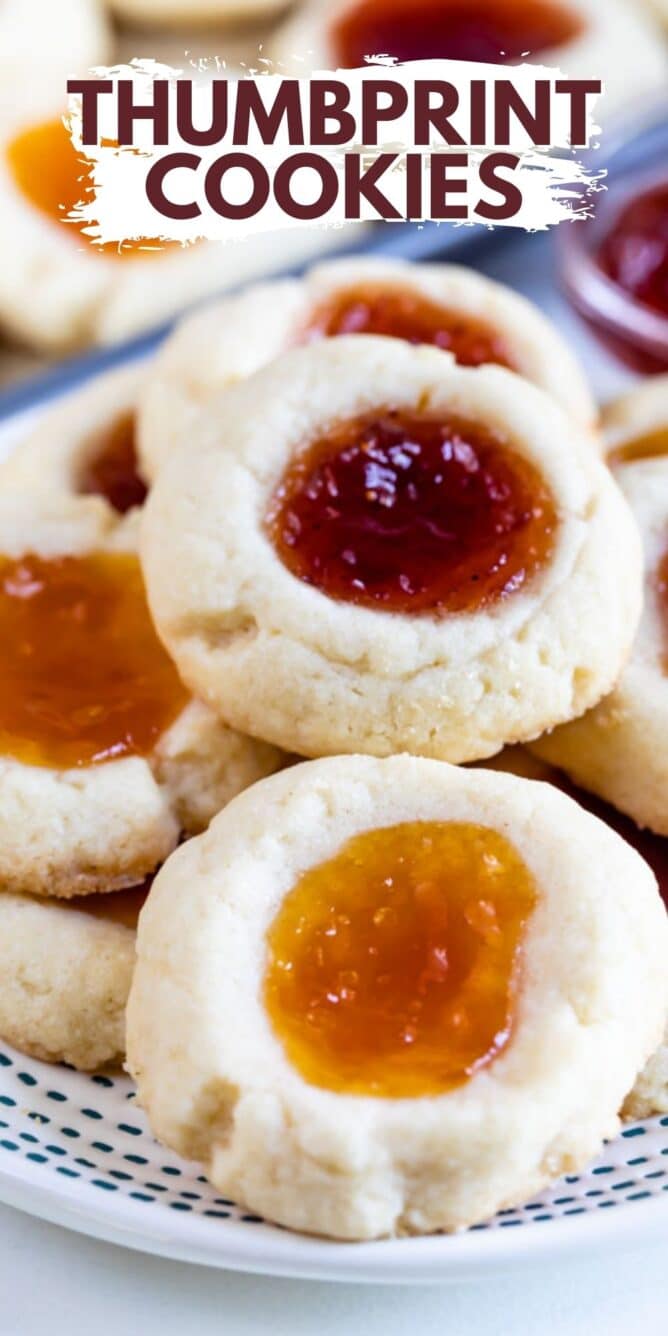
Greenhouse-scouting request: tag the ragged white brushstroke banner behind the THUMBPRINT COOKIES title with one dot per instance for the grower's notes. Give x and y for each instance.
(555, 185)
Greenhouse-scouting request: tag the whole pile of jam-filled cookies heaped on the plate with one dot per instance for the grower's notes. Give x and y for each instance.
(365, 519)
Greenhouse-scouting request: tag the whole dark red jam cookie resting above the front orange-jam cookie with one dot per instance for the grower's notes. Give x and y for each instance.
(371, 548)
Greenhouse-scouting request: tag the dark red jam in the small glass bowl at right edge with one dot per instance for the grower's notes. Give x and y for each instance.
(635, 252)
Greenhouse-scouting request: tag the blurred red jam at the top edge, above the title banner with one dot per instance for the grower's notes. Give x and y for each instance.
(499, 31)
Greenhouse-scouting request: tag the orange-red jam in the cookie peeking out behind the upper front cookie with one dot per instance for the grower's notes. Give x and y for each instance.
(401, 313)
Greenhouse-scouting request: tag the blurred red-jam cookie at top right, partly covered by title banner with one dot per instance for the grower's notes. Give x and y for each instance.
(583, 38)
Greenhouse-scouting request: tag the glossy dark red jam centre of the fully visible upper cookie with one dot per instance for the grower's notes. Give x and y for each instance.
(413, 514)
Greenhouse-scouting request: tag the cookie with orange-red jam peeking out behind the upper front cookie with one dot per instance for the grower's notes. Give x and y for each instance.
(446, 305)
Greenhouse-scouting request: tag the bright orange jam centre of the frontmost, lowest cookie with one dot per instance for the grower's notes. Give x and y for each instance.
(395, 968)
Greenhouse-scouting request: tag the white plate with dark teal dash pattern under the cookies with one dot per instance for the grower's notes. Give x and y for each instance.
(75, 1150)
